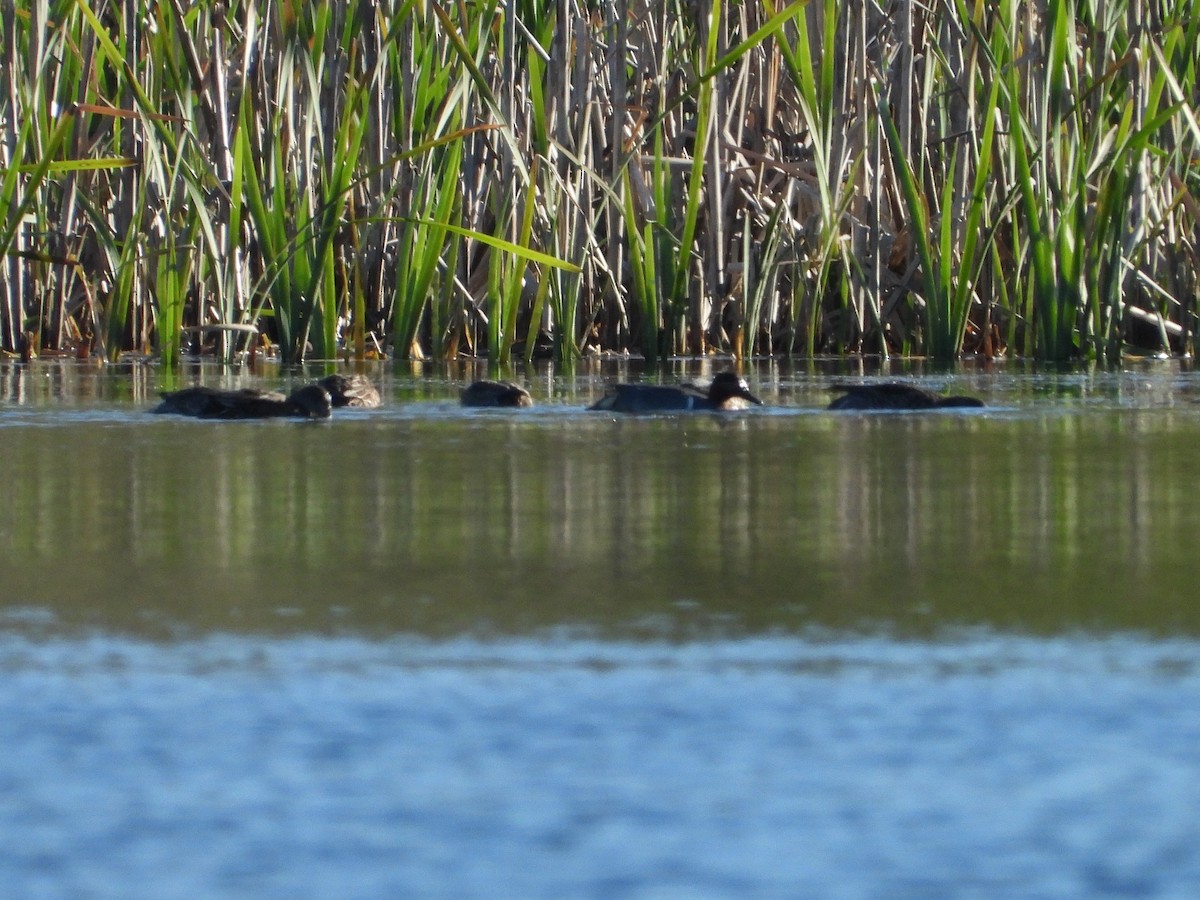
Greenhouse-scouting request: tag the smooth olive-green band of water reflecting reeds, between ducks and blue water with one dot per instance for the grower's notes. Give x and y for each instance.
(1039, 521)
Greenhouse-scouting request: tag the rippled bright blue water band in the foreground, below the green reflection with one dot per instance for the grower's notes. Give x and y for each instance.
(979, 765)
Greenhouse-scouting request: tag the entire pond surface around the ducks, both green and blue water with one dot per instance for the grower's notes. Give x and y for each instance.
(423, 651)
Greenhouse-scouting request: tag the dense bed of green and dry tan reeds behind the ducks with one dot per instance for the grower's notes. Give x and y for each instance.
(429, 181)
